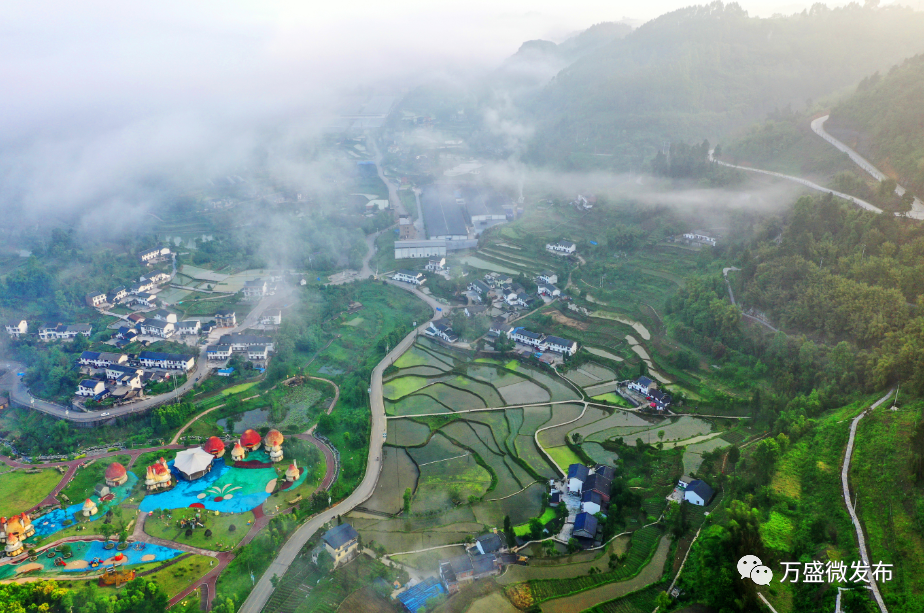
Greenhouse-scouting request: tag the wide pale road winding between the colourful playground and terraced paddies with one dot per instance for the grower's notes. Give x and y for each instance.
(264, 587)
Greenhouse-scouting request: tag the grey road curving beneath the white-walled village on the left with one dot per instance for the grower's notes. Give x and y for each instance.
(19, 393)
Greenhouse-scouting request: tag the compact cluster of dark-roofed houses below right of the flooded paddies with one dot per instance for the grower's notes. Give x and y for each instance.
(591, 487)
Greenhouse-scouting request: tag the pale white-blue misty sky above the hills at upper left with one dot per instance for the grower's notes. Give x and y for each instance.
(101, 95)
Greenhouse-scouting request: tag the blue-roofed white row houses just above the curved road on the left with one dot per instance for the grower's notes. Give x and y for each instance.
(122, 375)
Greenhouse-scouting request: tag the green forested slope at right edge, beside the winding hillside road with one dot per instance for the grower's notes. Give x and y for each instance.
(884, 120)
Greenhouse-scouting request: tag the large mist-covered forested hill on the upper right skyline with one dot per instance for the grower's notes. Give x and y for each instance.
(704, 71)
